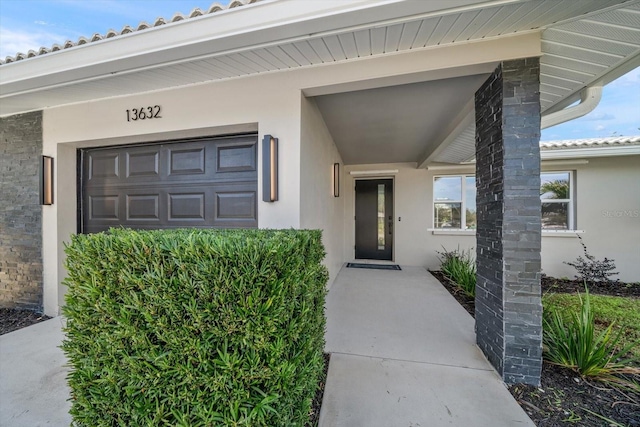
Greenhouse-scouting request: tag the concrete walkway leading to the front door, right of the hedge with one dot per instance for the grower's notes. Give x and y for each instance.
(403, 353)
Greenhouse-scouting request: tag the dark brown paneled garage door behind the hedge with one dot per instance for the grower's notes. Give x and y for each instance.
(208, 182)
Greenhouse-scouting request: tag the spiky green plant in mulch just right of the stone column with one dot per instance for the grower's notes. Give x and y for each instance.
(575, 345)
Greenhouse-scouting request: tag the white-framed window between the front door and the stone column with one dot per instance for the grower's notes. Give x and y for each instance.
(454, 202)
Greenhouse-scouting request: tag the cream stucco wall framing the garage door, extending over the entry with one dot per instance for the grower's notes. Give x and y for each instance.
(269, 103)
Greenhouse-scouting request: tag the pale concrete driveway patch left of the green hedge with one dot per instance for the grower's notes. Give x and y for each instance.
(33, 387)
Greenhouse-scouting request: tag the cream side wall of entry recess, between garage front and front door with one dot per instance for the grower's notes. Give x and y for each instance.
(318, 207)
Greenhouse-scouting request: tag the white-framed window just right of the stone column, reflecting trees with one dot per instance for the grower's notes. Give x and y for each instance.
(556, 197)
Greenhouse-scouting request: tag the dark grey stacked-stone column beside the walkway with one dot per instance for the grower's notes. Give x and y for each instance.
(508, 293)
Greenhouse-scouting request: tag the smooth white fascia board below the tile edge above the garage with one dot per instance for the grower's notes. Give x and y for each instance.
(257, 25)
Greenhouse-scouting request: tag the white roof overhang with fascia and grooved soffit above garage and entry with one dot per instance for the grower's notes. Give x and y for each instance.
(305, 34)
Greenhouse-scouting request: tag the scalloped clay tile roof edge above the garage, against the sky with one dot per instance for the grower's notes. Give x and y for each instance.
(215, 7)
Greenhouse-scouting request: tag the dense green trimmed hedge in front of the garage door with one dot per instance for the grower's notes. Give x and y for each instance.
(194, 327)
